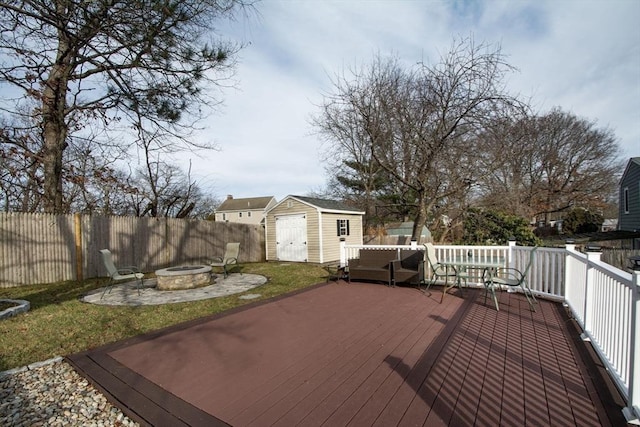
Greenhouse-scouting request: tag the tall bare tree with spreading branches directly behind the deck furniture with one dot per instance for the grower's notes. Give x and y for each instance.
(421, 124)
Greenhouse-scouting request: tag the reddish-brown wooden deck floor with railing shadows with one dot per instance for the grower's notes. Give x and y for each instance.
(362, 355)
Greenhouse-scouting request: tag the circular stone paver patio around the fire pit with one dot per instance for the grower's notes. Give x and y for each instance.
(127, 294)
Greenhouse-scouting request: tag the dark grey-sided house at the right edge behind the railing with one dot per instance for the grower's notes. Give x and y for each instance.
(629, 206)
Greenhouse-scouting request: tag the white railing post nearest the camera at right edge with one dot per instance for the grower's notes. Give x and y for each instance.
(632, 411)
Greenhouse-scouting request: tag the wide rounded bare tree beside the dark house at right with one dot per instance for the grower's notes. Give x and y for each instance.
(549, 164)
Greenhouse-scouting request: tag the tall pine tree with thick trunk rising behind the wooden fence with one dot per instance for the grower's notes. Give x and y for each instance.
(109, 62)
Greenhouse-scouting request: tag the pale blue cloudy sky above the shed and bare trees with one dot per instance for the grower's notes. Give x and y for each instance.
(582, 56)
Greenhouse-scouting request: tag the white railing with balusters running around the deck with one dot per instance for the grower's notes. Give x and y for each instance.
(604, 300)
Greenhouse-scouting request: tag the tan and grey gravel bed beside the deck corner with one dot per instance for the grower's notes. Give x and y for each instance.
(53, 394)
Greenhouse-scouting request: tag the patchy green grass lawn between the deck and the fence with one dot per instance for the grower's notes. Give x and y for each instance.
(58, 323)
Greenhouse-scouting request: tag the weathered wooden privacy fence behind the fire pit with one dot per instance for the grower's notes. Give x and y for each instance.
(44, 248)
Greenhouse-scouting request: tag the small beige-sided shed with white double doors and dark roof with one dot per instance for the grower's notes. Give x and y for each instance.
(307, 229)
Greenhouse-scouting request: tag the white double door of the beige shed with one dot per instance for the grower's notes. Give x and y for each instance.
(291, 238)
